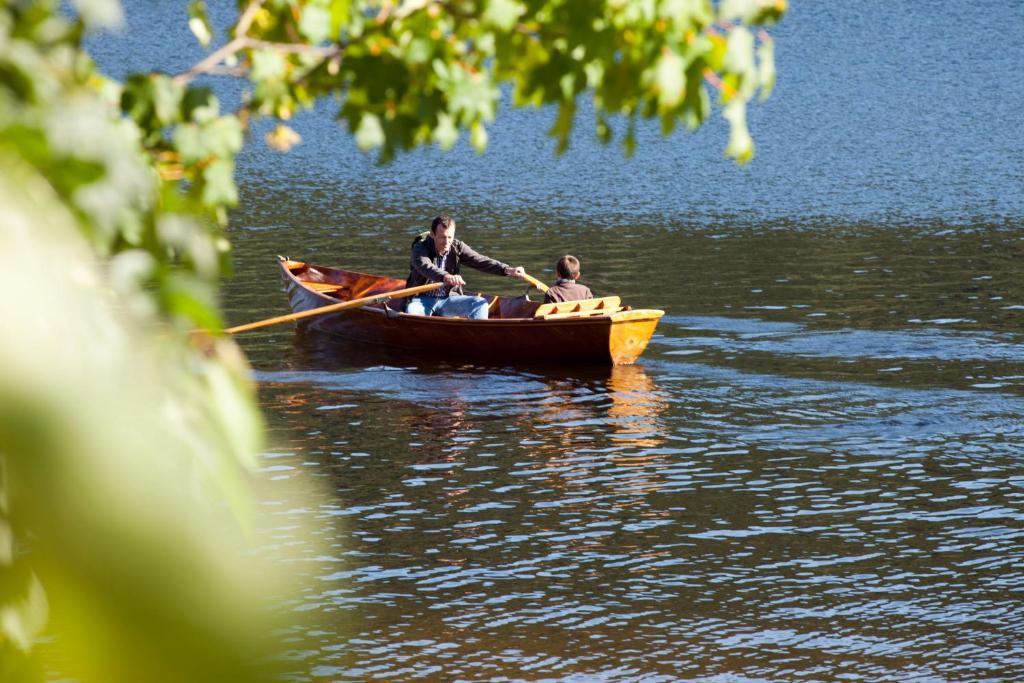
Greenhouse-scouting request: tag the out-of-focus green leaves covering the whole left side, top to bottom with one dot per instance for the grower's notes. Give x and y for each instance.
(130, 548)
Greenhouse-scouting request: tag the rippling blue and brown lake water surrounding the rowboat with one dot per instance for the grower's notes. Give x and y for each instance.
(816, 474)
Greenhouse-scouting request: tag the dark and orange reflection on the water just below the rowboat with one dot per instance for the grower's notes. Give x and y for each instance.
(616, 407)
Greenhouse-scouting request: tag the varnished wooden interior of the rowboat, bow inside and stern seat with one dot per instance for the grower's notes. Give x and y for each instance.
(349, 285)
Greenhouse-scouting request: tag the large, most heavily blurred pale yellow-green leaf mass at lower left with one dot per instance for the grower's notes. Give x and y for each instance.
(116, 450)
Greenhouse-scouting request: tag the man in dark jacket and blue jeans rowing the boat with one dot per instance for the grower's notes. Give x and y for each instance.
(438, 257)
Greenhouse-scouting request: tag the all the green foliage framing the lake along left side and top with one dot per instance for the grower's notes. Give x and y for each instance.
(129, 444)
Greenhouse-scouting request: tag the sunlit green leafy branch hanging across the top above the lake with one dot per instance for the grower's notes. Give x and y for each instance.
(422, 72)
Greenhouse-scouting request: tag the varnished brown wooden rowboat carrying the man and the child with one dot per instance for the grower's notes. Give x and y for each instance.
(518, 330)
